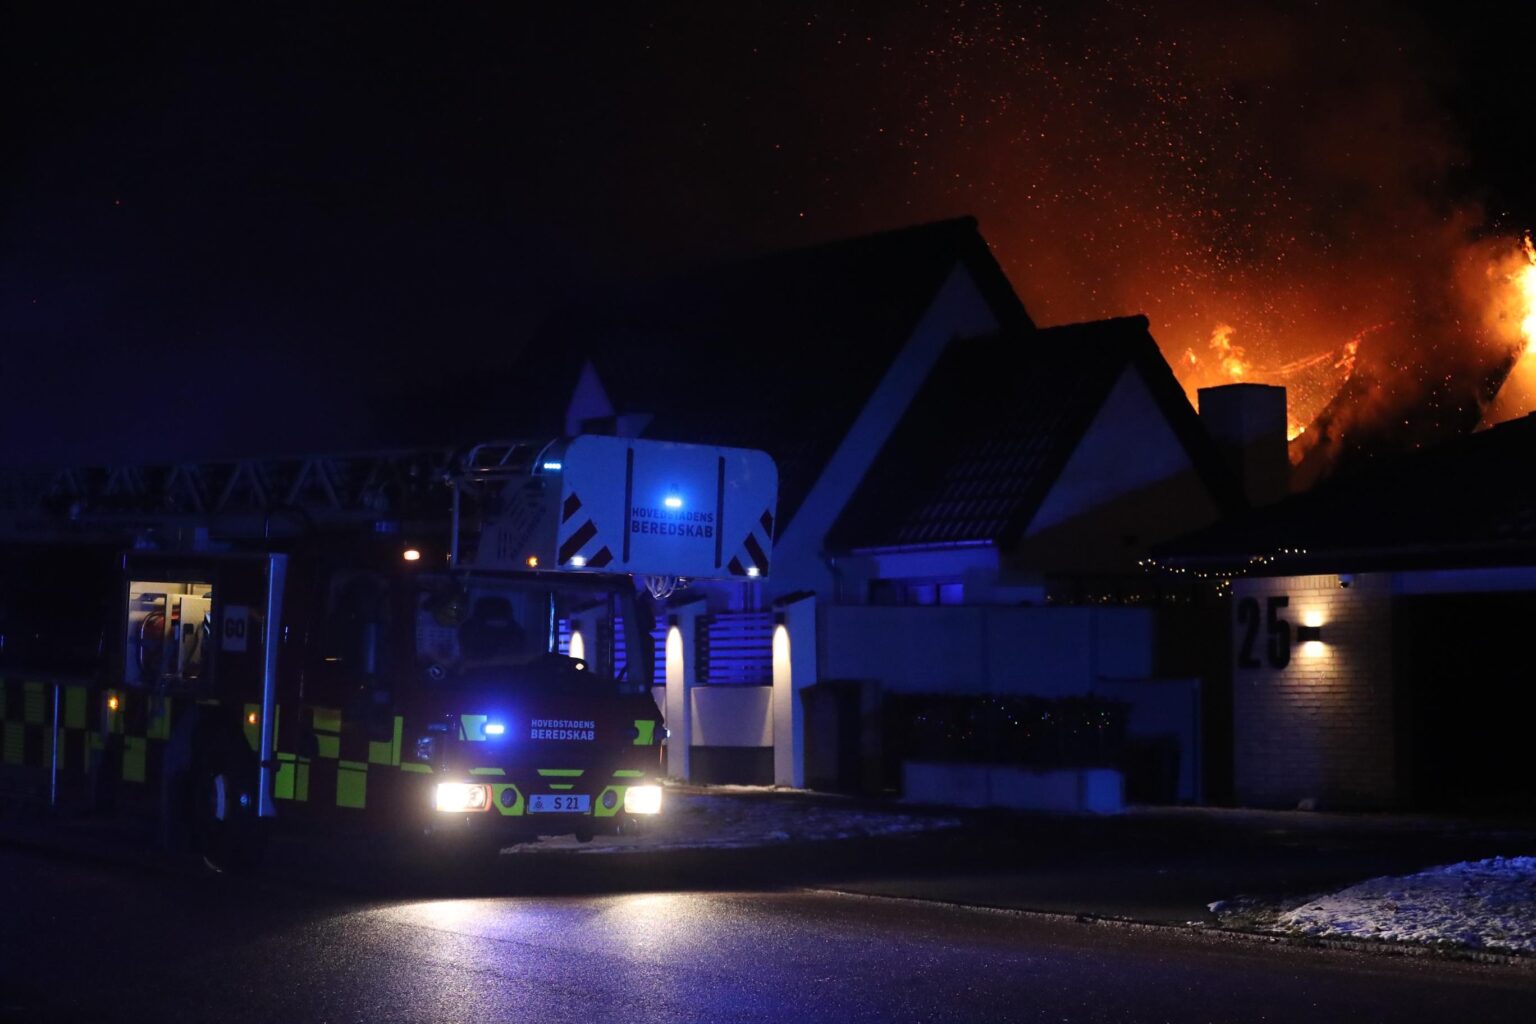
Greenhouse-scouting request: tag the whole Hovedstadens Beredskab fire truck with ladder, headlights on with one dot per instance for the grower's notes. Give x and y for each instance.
(425, 642)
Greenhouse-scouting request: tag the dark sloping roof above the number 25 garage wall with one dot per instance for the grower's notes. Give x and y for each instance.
(1465, 503)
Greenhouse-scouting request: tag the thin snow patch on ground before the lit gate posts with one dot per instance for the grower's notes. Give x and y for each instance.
(743, 818)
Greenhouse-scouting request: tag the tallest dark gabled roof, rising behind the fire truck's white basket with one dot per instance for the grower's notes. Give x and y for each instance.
(780, 352)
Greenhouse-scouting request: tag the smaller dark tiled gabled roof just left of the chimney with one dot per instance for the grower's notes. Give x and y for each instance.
(996, 424)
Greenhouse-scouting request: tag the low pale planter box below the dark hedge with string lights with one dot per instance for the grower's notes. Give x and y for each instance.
(1091, 790)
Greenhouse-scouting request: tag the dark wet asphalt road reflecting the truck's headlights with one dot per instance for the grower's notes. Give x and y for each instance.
(85, 942)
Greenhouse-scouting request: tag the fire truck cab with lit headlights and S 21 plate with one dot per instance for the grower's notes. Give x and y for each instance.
(512, 705)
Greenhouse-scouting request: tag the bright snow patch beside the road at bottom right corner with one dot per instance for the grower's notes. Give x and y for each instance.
(1481, 905)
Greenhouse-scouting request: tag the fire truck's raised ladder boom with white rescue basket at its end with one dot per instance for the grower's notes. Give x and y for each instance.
(591, 504)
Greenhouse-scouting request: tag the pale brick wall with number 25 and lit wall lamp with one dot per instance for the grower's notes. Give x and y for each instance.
(1322, 727)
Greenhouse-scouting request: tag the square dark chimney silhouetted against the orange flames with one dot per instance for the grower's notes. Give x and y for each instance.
(1248, 423)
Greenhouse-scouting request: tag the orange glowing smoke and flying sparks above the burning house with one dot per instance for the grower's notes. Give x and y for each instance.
(1265, 185)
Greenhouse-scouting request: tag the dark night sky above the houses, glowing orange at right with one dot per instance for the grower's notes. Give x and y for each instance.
(271, 230)
